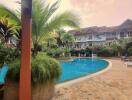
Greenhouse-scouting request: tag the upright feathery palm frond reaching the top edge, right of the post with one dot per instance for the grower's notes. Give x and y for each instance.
(41, 14)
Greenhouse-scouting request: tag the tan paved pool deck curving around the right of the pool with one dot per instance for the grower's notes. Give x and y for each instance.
(113, 84)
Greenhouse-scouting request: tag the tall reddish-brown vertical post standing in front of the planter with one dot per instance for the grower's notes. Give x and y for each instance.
(25, 72)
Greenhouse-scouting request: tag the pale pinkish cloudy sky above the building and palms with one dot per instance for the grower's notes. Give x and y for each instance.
(92, 12)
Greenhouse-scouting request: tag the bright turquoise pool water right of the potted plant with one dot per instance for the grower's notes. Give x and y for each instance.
(81, 67)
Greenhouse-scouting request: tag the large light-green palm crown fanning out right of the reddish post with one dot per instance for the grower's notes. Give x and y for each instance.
(45, 21)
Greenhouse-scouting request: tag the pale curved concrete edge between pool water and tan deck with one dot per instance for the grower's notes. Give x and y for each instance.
(71, 82)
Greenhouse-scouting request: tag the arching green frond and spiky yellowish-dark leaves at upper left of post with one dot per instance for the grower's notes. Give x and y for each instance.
(10, 25)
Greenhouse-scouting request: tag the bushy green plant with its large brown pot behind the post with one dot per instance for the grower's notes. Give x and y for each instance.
(44, 72)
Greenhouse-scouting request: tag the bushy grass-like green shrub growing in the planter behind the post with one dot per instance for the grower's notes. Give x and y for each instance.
(44, 69)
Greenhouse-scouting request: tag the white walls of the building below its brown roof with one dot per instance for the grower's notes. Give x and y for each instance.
(85, 40)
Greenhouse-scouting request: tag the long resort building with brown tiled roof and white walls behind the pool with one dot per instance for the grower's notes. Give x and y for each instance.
(92, 36)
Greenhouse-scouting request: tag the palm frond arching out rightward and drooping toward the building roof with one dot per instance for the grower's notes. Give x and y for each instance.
(65, 19)
